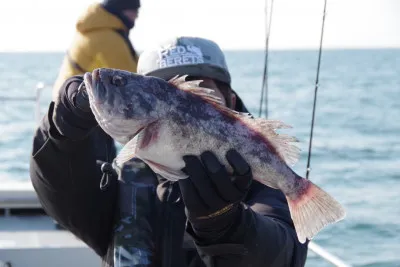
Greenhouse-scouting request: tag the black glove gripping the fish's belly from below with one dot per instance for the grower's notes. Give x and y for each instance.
(213, 197)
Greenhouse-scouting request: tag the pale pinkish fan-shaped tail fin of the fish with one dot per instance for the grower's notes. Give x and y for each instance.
(312, 210)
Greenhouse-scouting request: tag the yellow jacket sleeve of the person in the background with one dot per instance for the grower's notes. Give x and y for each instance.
(113, 52)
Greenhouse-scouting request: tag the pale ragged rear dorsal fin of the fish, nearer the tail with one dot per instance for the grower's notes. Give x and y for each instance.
(281, 142)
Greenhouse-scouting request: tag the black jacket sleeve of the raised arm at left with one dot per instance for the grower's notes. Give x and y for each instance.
(66, 179)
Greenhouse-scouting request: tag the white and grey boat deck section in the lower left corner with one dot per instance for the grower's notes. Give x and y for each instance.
(30, 238)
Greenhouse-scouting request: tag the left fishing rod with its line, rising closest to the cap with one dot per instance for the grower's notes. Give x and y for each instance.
(265, 72)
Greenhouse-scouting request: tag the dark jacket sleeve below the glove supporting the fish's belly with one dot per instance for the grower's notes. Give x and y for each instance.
(263, 236)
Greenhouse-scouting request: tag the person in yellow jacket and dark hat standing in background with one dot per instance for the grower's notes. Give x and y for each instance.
(101, 40)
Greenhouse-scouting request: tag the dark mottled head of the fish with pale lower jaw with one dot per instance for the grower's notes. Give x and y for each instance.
(122, 102)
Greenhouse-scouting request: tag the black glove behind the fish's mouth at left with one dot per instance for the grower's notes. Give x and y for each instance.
(72, 115)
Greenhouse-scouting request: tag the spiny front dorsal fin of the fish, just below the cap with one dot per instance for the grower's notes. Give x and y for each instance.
(194, 88)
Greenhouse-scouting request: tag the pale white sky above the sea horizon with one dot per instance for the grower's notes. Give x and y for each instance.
(48, 25)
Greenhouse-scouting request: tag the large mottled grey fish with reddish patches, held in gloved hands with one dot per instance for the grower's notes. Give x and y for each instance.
(159, 121)
